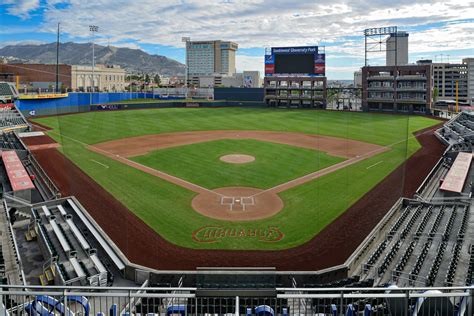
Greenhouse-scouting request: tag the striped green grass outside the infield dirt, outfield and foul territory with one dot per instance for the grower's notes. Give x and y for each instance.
(164, 206)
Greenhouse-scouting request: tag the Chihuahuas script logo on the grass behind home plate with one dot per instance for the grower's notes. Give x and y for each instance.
(210, 234)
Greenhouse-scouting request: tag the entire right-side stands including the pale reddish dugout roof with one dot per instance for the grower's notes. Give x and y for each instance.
(425, 242)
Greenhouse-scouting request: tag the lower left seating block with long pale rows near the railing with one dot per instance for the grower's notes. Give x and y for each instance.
(66, 245)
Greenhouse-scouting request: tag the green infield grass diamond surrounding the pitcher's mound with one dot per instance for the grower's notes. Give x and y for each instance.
(274, 163)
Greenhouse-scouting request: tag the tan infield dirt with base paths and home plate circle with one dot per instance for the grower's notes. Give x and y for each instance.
(215, 203)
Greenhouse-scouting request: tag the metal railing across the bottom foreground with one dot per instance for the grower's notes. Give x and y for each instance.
(54, 300)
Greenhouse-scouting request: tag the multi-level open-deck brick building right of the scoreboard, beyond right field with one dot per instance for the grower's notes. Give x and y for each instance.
(397, 88)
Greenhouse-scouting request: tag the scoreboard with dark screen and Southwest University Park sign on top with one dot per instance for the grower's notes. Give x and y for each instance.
(295, 61)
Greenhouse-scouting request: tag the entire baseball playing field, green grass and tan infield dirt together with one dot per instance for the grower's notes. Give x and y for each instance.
(236, 178)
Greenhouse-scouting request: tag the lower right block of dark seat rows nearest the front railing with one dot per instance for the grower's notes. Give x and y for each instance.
(422, 247)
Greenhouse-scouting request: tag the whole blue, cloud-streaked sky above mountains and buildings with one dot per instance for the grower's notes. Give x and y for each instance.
(439, 30)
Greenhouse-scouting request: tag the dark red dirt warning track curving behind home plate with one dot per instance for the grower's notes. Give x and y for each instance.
(330, 247)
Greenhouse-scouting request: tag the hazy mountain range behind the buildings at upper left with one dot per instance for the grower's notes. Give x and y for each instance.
(134, 61)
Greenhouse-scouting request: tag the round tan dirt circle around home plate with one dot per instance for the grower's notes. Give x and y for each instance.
(237, 204)
